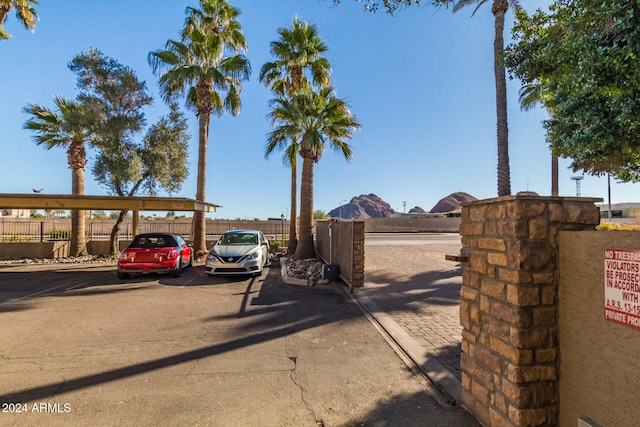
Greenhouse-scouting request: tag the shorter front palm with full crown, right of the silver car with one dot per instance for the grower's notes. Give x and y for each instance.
(320, 119)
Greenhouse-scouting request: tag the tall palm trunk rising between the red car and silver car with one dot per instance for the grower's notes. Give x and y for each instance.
(199, 220)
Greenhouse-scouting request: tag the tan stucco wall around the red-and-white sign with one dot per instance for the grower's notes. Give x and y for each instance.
(599, 359)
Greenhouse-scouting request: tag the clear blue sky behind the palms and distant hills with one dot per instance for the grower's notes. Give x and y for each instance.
(420, 83)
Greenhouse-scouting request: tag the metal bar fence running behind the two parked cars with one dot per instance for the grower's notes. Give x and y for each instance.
(30, 230)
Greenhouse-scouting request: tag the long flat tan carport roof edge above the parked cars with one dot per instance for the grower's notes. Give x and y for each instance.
(66, 201)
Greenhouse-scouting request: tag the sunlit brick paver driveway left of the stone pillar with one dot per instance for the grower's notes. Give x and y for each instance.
(420, 291)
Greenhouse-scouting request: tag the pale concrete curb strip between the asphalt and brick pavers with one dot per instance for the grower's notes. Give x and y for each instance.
(437, 374)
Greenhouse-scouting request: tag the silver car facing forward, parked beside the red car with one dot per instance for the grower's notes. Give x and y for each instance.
(239, 252)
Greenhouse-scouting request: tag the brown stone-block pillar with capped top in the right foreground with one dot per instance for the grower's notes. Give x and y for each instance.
(508, 305)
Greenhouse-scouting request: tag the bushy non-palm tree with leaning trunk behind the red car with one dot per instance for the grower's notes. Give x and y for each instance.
(116, 99)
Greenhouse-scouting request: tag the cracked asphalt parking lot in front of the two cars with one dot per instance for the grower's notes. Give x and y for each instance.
(81, 347)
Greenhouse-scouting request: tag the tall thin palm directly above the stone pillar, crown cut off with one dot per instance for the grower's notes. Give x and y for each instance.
(499, 9)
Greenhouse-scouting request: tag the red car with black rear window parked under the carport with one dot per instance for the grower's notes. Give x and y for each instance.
(155, 253)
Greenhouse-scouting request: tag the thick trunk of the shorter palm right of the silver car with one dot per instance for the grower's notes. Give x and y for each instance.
(306, 248)
